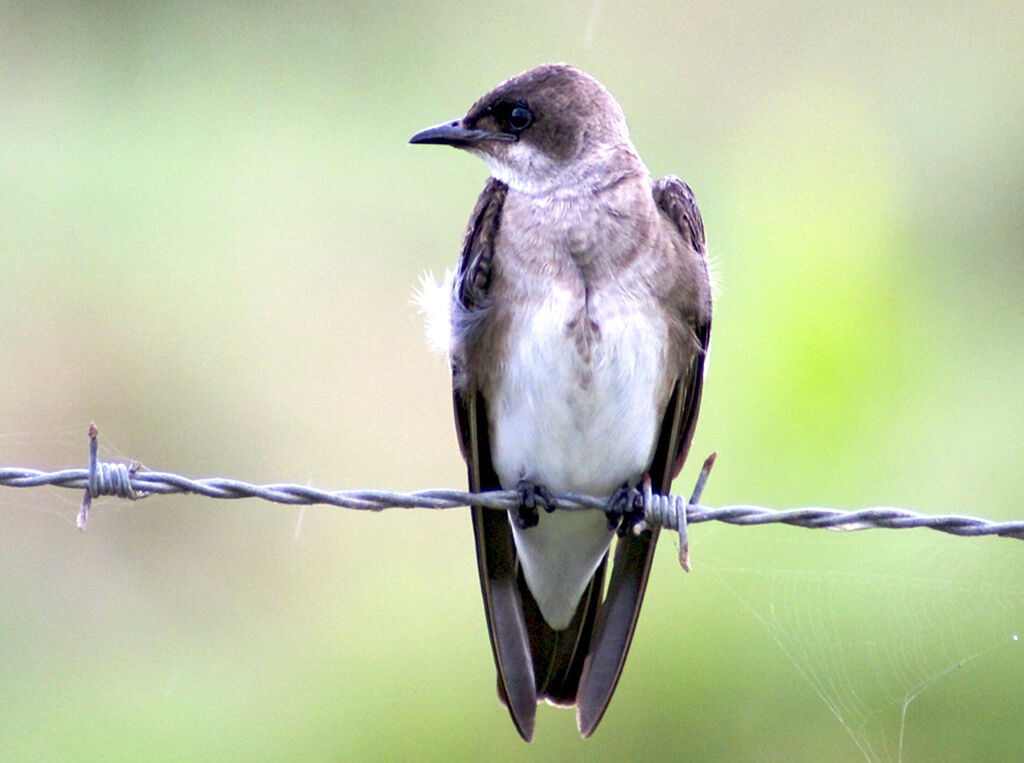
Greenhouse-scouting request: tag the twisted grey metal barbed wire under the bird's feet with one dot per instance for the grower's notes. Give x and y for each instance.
(670, 513)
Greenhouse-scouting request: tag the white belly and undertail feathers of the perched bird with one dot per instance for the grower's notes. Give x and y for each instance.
(575, 421)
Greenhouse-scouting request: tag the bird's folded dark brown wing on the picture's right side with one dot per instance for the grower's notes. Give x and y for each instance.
(634, 555)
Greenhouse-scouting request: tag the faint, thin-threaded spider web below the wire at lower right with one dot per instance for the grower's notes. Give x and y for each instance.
(873, 622)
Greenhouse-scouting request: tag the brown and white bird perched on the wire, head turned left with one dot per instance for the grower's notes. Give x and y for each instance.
(580, 318)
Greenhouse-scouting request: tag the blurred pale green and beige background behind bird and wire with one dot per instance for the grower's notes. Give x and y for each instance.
(210, 229)
